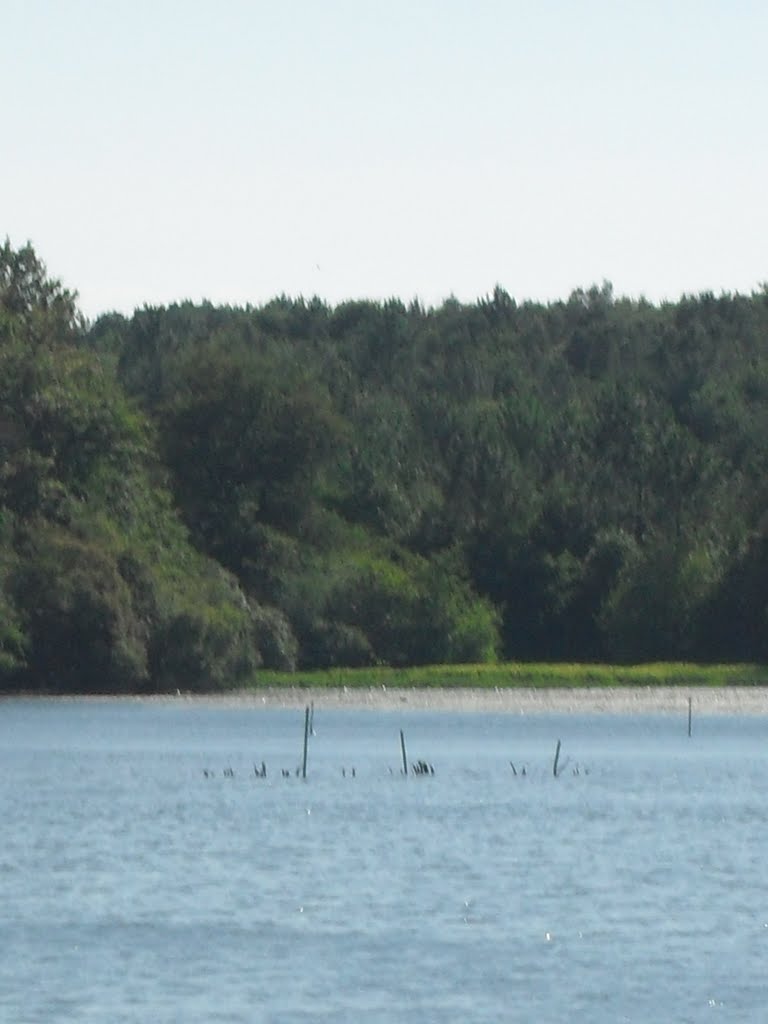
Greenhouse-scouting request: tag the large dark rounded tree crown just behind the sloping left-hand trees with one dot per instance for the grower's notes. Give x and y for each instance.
(245, 447)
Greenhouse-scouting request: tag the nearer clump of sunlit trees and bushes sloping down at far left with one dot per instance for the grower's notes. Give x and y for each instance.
(98, 579)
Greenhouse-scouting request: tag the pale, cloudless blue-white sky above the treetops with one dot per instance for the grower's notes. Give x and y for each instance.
(158, 151)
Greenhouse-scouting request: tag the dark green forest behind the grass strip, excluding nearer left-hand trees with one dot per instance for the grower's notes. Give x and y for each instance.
(560, 453)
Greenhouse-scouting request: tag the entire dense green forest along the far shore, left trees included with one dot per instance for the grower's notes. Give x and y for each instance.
(195, 492)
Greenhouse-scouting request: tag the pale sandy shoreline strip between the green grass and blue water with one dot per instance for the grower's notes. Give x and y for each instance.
(521, 701)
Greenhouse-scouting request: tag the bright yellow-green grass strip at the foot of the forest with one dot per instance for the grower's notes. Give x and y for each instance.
(539, 675)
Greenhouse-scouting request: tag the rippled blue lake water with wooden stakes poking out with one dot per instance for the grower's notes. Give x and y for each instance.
(135, 889)
